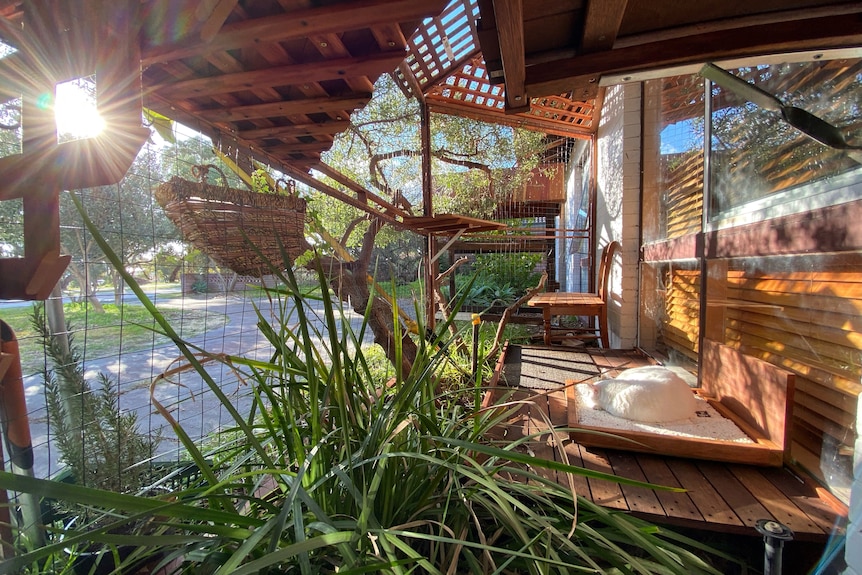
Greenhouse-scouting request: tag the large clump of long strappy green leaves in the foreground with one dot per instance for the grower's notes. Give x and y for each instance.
(333, 471)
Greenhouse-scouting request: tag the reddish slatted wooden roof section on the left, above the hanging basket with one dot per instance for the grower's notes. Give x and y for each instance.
(282, 77)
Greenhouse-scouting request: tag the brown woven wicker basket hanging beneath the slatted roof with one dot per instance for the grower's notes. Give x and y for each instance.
(239, 229)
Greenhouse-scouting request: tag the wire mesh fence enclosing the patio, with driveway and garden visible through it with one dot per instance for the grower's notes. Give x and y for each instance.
(119, 360)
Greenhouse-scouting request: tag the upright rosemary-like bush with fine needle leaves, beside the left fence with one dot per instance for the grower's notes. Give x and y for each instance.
(102, 446)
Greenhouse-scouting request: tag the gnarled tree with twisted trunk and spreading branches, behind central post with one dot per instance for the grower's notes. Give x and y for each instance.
(474, 166)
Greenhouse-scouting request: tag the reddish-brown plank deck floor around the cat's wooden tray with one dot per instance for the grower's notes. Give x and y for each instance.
(728, 498)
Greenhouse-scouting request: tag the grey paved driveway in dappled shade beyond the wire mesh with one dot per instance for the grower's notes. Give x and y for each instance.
(186, 396)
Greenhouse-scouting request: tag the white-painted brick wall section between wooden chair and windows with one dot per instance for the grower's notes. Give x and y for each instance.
(618, 204)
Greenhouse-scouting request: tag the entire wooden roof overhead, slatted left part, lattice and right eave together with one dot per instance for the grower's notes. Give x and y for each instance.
(280, 78)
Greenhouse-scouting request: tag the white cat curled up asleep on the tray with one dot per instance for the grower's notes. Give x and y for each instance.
(651, 394)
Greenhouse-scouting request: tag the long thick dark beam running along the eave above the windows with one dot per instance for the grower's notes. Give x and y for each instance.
(582, 73)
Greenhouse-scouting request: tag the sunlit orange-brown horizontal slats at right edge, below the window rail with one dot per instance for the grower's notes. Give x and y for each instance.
(809, 322)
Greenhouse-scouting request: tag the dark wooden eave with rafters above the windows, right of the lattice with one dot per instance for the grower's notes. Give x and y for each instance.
(541, 48)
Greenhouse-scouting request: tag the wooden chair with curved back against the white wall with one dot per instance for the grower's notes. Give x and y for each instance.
(581, 304)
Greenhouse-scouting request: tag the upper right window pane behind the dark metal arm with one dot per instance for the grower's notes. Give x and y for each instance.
(757, 156)
